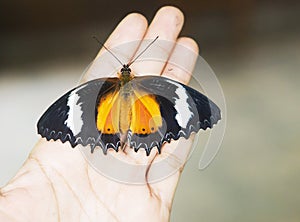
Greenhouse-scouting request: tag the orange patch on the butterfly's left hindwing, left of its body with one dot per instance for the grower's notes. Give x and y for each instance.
(108, 113)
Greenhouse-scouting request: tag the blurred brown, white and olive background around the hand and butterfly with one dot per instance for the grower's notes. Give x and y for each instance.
(254, 49)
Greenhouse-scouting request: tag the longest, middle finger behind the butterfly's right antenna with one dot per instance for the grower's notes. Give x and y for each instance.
(166, 24)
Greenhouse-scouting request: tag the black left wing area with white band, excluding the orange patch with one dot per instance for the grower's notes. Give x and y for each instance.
(72, 117)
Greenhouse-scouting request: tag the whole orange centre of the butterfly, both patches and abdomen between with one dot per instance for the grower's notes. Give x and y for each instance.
(140, 114)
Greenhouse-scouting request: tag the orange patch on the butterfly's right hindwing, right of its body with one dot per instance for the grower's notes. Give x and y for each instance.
(145, 115)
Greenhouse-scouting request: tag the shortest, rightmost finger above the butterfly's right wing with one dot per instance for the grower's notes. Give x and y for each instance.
(182, 61)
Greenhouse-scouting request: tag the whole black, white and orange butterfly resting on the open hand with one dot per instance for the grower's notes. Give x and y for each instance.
(136, 111)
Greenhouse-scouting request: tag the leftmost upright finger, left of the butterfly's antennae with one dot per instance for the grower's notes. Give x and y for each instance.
(123, 42)
